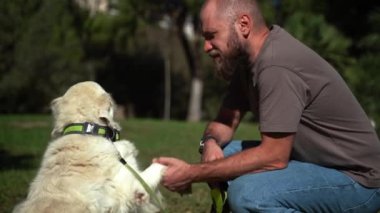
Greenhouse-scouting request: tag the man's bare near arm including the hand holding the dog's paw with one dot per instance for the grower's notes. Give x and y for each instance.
(273, 153)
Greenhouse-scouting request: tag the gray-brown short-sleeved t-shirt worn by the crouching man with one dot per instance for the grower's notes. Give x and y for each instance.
(290, 88)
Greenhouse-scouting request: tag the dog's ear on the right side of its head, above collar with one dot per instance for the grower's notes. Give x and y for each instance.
(106, 111)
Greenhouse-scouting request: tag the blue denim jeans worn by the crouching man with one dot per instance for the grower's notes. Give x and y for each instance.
(301, 187)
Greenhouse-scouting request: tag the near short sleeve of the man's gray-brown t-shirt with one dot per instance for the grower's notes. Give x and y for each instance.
(282, 99)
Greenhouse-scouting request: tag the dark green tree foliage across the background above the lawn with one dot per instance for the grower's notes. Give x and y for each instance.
(46, 45)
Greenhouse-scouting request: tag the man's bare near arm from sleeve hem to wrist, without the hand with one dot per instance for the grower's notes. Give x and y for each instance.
(273, 153)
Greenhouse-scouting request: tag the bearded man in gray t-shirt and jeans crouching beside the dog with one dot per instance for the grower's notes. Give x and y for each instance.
(318, 151)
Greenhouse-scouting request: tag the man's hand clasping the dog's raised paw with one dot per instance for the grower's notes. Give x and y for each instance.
(178, 175)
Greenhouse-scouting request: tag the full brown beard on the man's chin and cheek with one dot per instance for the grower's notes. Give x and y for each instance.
(237, 59)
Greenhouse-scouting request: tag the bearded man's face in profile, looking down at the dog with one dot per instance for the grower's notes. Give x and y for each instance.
(223, 45)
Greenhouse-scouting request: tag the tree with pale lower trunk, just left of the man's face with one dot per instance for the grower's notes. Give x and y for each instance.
(182, 14)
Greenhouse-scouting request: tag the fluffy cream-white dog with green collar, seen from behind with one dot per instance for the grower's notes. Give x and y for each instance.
(82, 169)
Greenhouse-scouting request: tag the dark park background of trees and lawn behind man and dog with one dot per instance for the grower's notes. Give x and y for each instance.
(149, 55)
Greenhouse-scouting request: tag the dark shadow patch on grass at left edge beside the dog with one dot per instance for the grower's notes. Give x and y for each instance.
(11, 161)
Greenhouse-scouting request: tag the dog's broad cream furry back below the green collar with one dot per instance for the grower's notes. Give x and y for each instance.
(77, 174)
